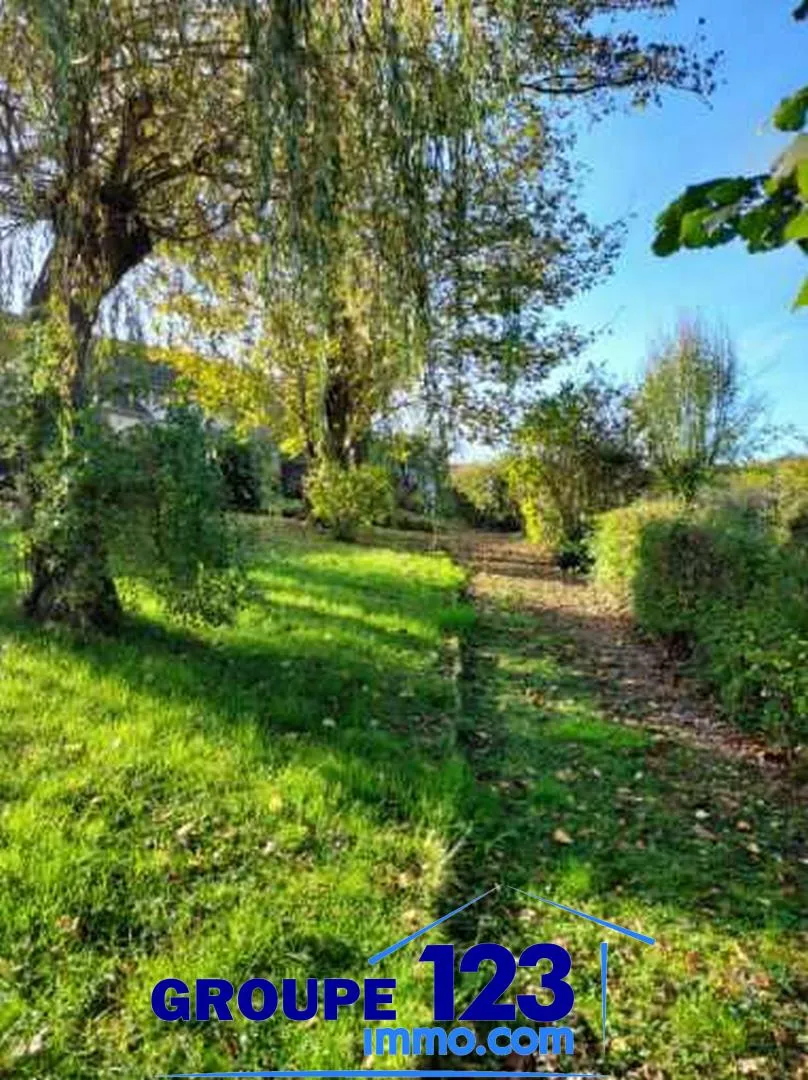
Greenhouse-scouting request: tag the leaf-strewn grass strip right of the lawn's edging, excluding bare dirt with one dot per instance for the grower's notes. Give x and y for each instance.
(691, 847)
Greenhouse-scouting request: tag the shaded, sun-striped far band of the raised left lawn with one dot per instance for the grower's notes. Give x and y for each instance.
(333, 684)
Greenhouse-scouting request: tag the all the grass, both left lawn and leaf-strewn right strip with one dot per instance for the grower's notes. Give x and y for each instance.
(287, 796)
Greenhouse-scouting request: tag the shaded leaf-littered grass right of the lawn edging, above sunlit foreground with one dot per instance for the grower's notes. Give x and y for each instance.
(641, 815)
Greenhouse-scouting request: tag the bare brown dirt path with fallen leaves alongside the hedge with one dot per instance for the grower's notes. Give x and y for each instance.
(637, 683)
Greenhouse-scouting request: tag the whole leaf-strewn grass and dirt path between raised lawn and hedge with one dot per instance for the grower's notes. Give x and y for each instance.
(603, 780)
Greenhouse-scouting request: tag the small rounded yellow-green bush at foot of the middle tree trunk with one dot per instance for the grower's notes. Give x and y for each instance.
(344, 499)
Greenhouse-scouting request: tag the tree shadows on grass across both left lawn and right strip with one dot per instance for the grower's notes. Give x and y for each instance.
(648, 817)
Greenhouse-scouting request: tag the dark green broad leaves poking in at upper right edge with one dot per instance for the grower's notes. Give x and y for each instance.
(766, 212)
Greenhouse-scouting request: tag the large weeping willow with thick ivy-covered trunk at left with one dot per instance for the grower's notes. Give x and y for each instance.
(130, 125)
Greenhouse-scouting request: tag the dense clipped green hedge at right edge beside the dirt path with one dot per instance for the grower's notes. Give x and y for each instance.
(720, 585)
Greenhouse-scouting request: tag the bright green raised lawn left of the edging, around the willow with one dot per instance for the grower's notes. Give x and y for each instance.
(276, 800)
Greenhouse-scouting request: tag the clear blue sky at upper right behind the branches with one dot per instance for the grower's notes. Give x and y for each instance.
(641, 160)
